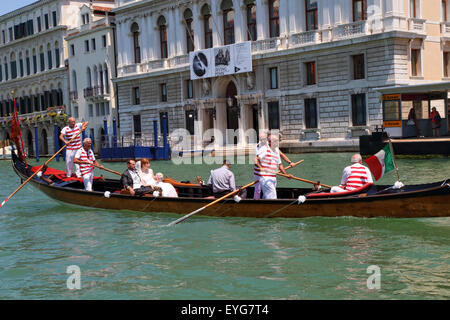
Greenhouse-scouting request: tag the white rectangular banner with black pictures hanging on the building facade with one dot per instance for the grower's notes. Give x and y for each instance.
(221, 61)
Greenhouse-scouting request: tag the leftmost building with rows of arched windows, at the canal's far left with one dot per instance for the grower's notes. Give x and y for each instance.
(33, 56)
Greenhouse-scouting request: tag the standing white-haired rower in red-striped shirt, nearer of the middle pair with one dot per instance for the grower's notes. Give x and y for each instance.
(268, 162)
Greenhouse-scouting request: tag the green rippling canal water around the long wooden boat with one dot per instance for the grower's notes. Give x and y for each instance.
(129, 255)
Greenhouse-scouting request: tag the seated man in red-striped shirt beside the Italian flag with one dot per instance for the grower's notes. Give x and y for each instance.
(354, 176)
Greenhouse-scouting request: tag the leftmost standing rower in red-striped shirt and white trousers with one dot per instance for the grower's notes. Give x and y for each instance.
(69, 132)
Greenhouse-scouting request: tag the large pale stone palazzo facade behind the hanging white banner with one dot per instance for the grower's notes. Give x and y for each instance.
(318, 65)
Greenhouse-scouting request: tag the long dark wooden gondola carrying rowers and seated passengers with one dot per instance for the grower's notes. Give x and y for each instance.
(412, 201)
